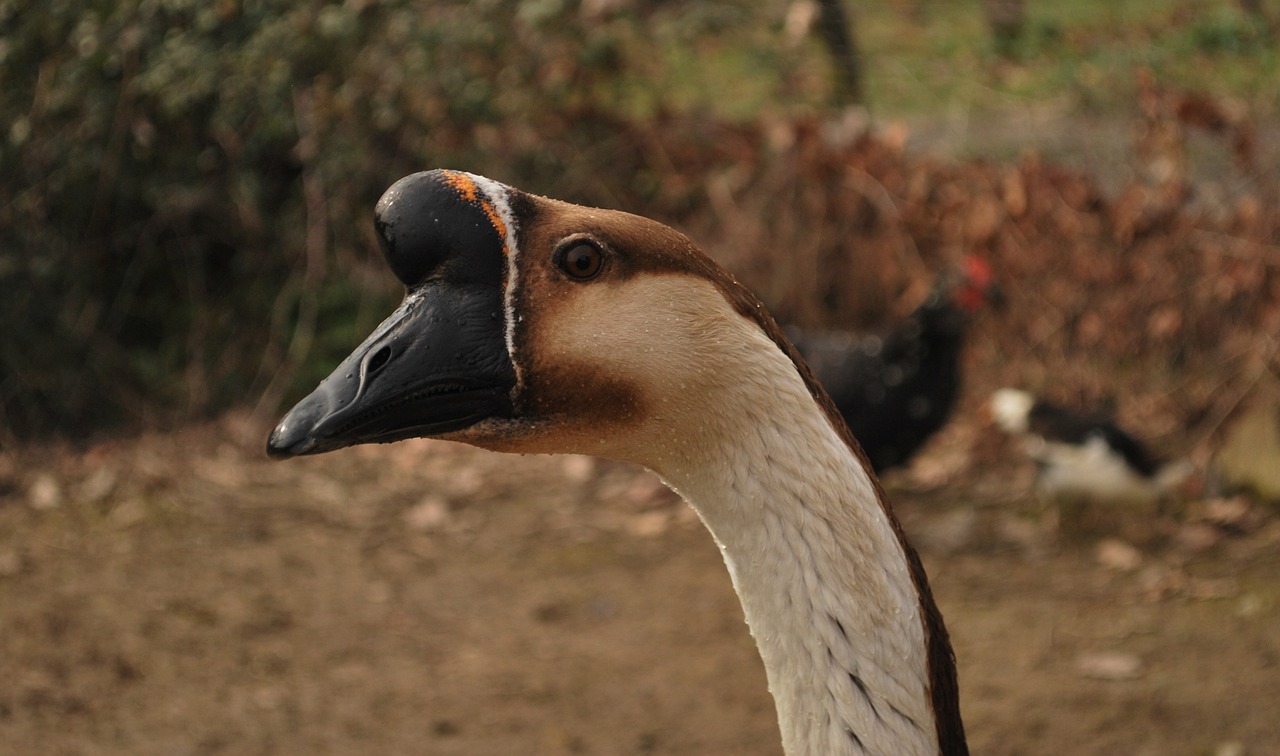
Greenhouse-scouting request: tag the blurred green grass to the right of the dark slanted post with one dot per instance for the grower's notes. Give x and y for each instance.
(1084, 54)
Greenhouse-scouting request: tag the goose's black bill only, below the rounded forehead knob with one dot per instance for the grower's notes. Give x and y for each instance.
(440, 364)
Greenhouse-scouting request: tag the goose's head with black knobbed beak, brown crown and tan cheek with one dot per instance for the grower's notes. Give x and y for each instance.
(533, 326)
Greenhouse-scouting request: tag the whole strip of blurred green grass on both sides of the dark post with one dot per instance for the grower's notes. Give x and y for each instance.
(943, 59)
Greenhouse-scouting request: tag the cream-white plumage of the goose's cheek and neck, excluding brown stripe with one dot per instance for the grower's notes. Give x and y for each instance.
(822, 576)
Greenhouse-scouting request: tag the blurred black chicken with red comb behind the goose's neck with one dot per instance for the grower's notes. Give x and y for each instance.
(898, 388)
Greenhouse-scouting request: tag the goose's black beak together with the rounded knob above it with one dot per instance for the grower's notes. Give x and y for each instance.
(440, 364)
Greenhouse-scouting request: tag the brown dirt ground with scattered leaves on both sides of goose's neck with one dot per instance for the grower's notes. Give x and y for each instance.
(181, 594)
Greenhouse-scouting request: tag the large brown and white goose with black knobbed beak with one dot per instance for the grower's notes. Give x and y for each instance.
(532, 326)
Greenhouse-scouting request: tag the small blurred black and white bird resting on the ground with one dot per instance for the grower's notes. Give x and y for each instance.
(1084, 455)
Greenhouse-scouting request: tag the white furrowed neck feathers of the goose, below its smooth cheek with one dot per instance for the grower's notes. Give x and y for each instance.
(821, 575)
